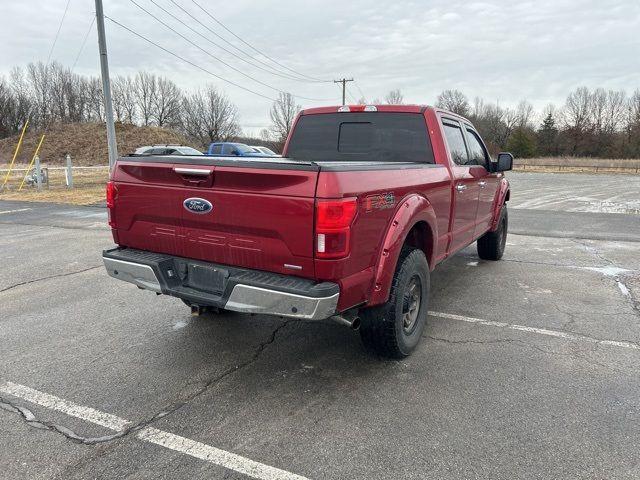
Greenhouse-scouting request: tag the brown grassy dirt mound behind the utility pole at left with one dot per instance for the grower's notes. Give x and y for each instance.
(85, 142)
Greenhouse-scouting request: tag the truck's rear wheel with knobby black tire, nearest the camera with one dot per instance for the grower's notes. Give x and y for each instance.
(394, 329)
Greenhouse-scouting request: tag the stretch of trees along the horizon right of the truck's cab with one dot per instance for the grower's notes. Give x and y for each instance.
(591, 123)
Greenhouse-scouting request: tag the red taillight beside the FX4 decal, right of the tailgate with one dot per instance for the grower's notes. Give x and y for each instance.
(333, 227)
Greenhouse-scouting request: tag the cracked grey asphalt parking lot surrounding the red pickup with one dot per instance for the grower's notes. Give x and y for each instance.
(528, 369)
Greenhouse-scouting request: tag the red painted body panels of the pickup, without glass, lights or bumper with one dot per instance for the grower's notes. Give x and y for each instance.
(263, 217)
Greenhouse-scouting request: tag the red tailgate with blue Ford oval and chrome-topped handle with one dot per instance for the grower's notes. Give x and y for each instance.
(260, 217)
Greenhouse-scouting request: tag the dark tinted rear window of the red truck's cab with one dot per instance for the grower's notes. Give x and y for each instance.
(361, 136)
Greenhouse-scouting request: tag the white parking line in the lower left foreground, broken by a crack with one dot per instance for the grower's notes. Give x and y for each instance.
(168, 440)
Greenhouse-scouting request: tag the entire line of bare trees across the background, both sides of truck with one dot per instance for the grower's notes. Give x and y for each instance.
(595, 123)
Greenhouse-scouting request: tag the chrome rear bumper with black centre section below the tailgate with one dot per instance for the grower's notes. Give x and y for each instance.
(231, 288)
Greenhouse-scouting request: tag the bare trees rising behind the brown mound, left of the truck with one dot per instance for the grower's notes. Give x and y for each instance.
(52, 93)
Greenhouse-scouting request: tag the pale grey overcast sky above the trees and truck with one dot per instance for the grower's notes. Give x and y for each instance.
(499, 50)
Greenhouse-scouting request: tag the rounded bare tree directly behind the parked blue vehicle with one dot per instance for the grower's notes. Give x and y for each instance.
(208, 116)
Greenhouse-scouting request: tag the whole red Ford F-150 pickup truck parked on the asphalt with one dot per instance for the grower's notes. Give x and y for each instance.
(347, 225)
